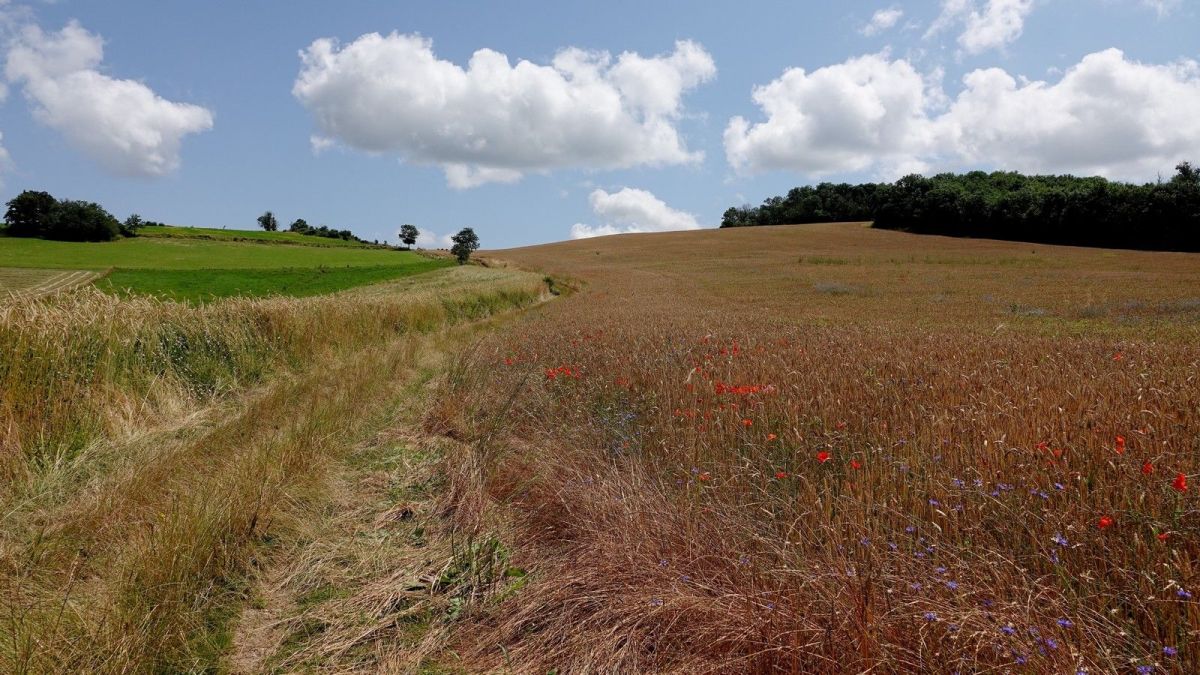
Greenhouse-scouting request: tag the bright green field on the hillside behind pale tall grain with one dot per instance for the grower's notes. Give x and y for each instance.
(202, 265)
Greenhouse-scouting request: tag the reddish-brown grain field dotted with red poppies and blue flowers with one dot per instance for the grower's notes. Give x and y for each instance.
(969, 396)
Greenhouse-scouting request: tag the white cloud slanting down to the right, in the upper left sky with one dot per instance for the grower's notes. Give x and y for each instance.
(119, 123)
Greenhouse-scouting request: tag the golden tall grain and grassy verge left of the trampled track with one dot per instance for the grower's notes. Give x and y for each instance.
(153, 452)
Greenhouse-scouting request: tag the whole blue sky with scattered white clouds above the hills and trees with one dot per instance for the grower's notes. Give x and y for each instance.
(193, 115)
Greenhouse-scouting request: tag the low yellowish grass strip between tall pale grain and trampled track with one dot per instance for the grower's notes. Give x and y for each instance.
(146, 561)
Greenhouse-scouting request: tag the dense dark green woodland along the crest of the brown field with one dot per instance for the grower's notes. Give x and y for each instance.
(1054, 210)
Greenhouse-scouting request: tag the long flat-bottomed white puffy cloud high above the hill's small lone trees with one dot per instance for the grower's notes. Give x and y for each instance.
(494, 121)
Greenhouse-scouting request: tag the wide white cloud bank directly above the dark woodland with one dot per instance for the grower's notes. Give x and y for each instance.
(1108, 115)
